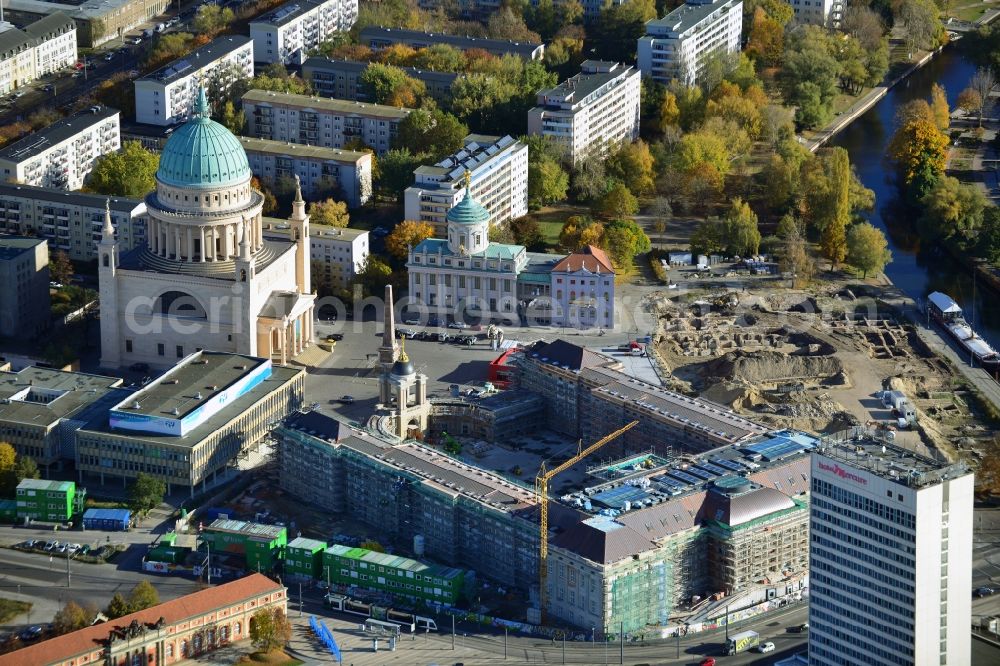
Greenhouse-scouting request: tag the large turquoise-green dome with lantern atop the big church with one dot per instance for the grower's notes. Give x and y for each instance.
(203, 153)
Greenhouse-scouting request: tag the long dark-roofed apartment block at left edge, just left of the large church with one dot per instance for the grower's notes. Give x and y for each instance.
(70, 221)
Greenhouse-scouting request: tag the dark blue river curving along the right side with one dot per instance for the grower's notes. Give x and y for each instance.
(917, 268)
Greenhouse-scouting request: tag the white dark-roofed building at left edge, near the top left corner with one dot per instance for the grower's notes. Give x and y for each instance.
(43, 47)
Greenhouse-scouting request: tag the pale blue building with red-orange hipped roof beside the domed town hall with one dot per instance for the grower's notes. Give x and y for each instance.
(583, 290)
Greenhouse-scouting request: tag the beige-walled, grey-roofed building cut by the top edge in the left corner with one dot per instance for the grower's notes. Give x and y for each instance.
(97, 21)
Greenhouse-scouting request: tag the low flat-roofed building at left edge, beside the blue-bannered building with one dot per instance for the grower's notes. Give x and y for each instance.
(41, 409)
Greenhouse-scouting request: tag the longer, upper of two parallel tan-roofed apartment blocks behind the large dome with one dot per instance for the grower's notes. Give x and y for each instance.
(317, 121)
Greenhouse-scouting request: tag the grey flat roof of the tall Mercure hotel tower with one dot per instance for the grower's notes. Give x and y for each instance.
(872, 452)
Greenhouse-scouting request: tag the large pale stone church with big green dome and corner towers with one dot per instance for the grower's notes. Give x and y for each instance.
(206, 278)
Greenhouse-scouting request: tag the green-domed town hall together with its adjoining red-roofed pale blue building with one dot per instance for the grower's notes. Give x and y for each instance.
(467, 277)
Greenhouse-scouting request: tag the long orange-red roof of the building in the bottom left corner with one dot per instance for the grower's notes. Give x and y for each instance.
(88, 639)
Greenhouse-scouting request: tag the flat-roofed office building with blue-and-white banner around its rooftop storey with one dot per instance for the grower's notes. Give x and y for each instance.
(190, 425)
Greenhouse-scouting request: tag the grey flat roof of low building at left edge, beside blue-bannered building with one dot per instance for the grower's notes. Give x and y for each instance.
(42, 396)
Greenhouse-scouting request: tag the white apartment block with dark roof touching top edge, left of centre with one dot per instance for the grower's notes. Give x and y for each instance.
(295, 28)
